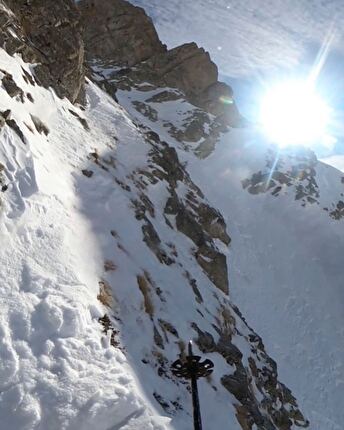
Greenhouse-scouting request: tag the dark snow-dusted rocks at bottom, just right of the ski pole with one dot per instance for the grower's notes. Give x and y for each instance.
(278, 409)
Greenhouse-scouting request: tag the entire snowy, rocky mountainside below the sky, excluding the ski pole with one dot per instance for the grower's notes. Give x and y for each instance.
(139, 210)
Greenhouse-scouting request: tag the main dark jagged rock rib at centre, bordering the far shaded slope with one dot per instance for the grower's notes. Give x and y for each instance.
(193, 216)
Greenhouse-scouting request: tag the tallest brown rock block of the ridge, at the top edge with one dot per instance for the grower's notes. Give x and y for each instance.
(118, 31)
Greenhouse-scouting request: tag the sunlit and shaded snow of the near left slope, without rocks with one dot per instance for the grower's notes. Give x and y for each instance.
(59, 230)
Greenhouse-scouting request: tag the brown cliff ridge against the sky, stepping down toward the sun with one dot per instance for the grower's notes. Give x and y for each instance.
(121, 35)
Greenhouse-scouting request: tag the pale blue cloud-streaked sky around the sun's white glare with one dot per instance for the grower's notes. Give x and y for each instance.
(254, 42)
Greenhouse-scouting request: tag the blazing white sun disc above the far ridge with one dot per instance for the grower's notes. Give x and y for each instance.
(292, 113)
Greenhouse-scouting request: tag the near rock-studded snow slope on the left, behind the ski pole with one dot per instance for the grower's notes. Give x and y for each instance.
(96, 207)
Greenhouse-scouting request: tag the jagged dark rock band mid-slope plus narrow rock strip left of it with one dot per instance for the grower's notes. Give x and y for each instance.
(191, 215)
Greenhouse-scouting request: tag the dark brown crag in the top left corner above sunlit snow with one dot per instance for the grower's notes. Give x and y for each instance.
(48, 33)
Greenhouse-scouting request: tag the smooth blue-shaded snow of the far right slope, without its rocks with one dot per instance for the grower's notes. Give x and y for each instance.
(287, 277)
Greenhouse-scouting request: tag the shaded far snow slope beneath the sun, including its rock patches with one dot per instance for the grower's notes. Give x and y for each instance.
(284, 212)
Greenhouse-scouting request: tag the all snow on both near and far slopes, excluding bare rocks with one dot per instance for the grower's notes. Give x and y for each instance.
(57, 369)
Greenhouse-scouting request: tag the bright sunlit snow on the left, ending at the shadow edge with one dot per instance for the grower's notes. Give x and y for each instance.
(57, 369)
